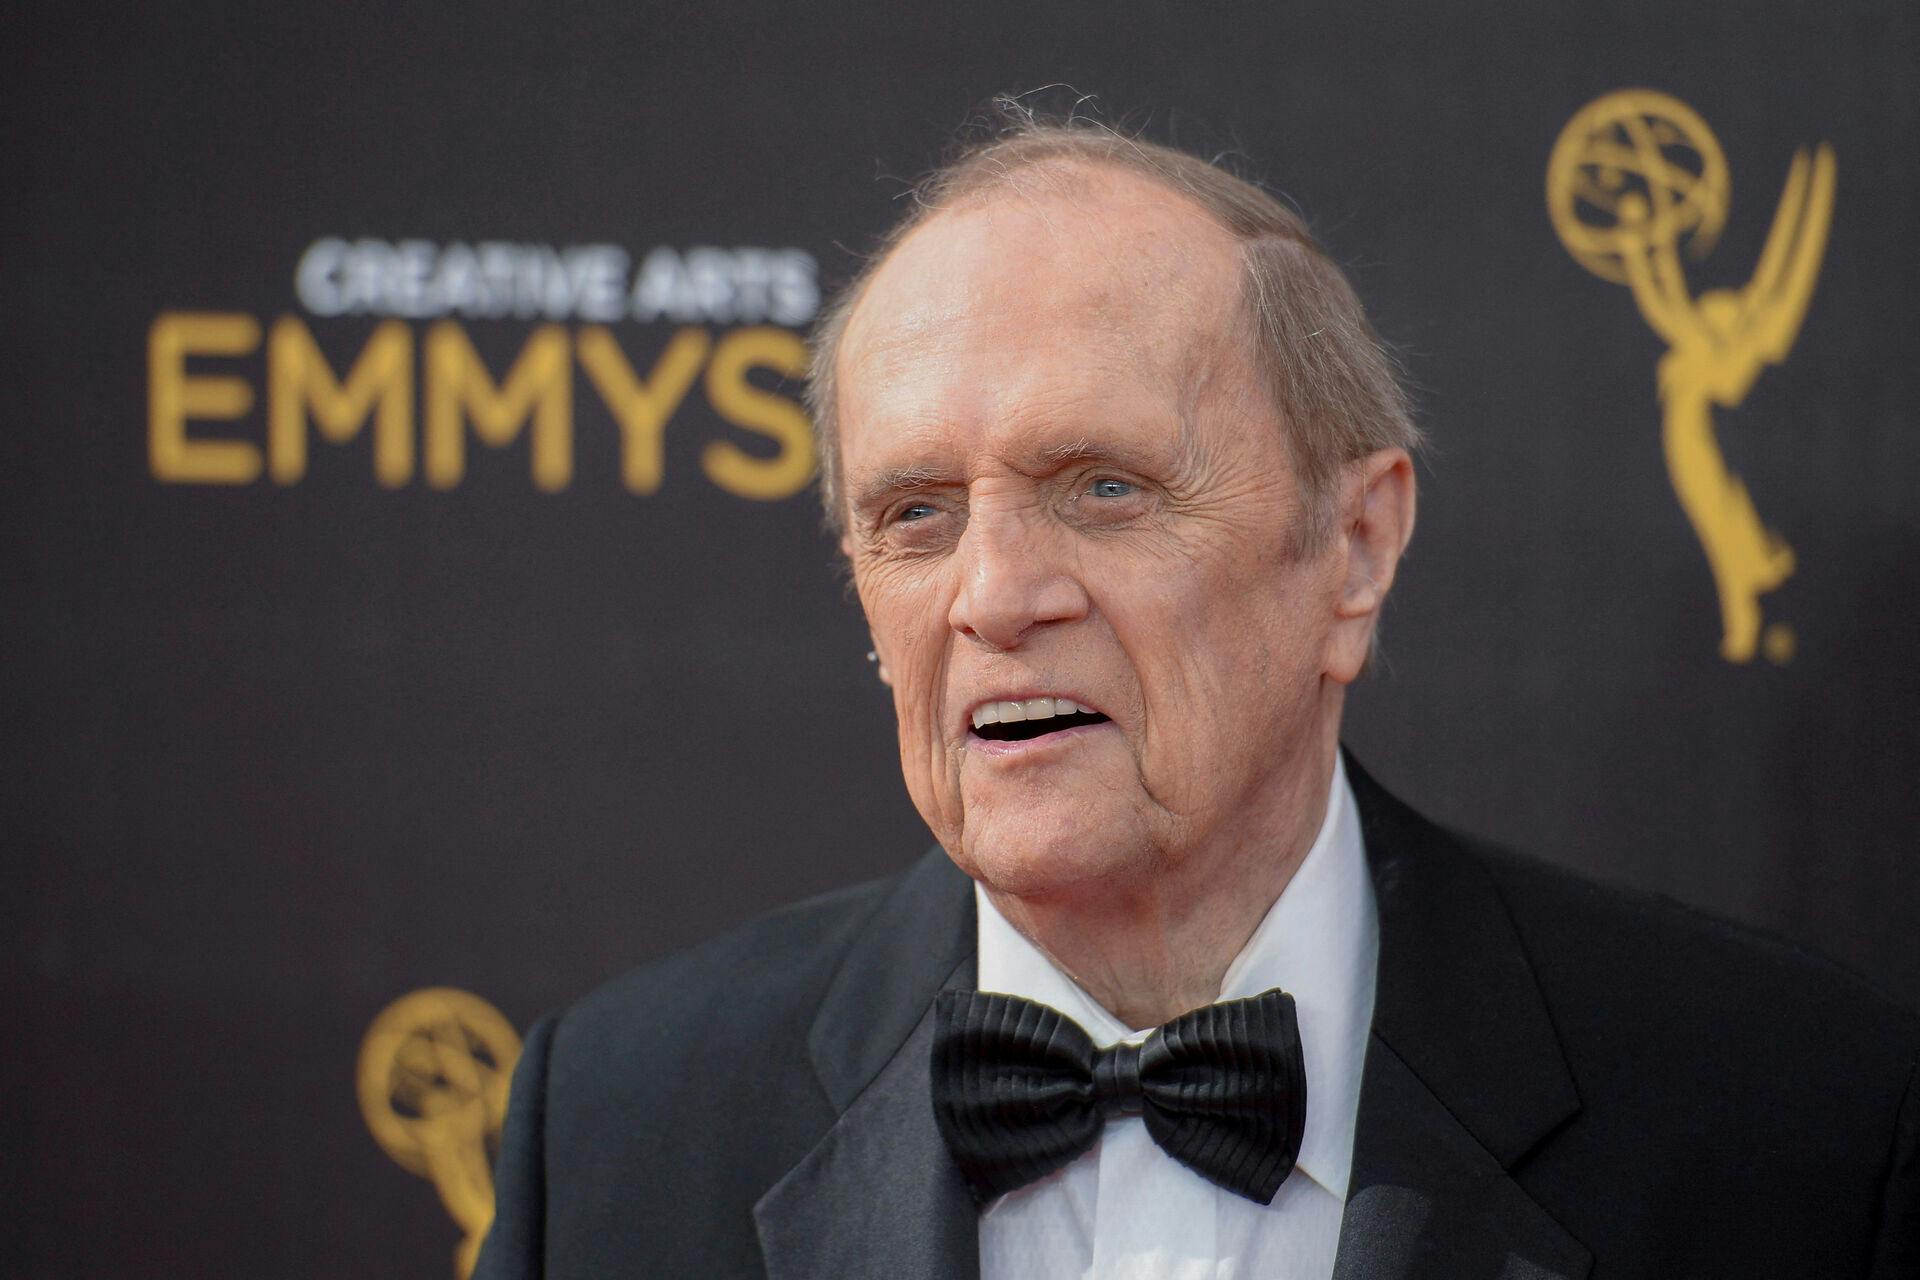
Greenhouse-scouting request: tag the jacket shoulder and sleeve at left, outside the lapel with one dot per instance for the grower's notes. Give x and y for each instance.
(665, 1104)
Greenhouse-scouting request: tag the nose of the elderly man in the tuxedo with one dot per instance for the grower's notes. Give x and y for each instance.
(1015, 579)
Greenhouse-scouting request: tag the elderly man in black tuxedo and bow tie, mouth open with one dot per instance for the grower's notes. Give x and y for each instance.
(1124, 483)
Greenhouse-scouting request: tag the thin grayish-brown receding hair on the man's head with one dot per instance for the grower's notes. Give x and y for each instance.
(1337, 387)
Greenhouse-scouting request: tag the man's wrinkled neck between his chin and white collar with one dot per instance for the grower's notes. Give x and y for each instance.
(1161, 945)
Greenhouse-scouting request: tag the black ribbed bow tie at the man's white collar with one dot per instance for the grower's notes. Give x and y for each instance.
(1020, 1091)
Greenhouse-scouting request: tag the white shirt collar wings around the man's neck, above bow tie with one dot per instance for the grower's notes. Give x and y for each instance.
(1320, 943)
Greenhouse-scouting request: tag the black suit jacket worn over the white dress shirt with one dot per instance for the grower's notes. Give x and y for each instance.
(1562, 1081)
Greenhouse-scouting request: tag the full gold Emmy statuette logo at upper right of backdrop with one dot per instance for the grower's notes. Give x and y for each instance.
(1635, 179)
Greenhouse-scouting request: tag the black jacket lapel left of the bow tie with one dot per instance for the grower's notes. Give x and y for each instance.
(878, 1197)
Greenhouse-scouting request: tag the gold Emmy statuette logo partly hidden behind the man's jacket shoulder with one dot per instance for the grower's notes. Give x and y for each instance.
(433, 1085)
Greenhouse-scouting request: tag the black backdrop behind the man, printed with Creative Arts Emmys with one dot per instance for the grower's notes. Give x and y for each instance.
(285, 751)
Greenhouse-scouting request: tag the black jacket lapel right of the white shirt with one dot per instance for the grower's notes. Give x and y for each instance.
(1464, 1074)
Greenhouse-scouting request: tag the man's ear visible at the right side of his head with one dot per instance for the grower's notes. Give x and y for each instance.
(1376, 521)
